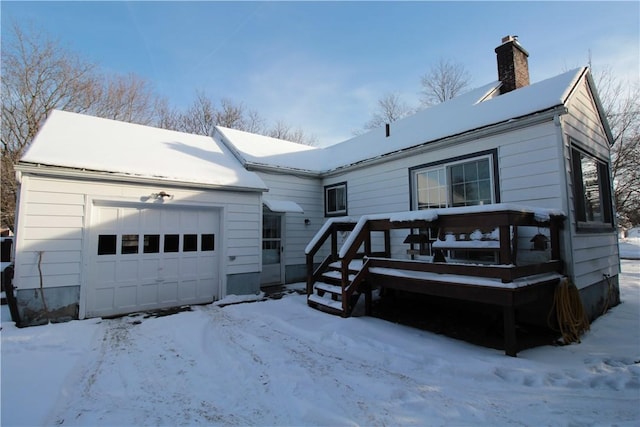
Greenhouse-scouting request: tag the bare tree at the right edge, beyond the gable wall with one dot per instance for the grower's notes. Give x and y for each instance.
(621, 103)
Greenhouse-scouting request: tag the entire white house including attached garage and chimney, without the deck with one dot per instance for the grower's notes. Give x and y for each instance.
(93, 190)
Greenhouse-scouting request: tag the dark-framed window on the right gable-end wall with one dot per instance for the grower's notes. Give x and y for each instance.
(592, 191)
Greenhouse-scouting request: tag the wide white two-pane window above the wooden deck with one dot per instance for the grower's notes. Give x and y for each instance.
(465, 182)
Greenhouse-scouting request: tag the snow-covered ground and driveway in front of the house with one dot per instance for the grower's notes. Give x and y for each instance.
(278, 362)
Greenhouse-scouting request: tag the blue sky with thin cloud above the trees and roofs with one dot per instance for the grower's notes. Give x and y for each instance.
(322, 66)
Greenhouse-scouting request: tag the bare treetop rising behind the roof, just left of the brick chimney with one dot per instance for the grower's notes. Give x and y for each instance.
(444, 81)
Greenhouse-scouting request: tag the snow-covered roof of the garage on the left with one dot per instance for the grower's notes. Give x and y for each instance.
(84, 142)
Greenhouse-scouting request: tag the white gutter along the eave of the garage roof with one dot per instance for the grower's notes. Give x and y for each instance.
(92, 175)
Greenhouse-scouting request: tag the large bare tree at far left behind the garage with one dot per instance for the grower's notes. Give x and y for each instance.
(38, 76)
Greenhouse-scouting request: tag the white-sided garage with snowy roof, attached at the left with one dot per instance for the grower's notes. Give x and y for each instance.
(116, 218)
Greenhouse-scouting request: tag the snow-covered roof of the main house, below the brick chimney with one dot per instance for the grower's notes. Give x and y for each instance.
(473, 110)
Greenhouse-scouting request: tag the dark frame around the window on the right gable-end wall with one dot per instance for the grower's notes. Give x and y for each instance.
(583, 223)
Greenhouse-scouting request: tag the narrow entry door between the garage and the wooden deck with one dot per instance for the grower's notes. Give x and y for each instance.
(272, 249)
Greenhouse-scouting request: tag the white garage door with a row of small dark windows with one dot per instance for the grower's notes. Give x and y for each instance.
(149, 258)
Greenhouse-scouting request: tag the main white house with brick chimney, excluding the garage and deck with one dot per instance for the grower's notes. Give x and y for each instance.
(544, 145)
